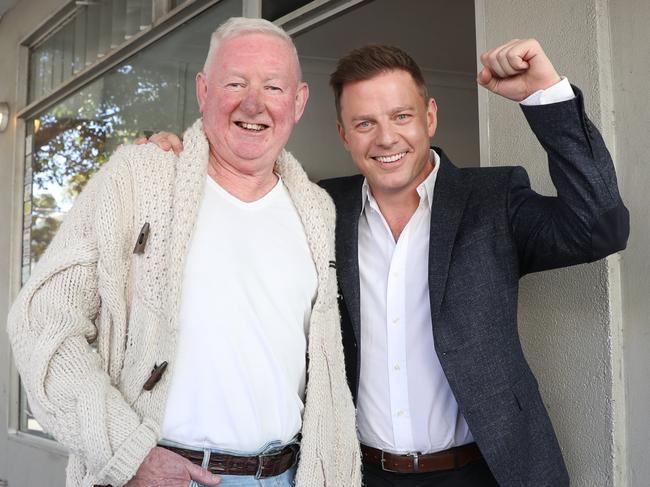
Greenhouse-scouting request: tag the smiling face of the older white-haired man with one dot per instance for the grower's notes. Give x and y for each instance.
(250, 100)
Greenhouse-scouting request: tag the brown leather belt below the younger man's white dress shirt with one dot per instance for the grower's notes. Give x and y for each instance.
(416, 462)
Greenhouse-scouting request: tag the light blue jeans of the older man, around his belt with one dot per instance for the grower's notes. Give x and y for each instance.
(282, 480)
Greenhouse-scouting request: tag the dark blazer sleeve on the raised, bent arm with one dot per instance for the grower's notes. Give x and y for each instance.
(587, 220)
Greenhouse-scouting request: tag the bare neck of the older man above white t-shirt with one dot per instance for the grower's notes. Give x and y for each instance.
(247, 187)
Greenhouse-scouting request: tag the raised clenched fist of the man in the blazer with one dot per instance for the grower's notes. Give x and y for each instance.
(517, 69)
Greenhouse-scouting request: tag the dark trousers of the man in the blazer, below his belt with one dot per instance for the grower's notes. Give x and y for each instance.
(475, 474)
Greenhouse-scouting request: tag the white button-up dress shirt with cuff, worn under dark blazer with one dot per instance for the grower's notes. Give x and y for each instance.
(405, 403)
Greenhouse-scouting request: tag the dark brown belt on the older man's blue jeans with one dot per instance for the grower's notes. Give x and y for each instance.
(261, 466)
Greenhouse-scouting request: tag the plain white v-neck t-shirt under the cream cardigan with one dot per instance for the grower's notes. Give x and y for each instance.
(248, 288)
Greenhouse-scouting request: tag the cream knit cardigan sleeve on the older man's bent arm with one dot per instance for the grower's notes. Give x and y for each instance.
(50, 327)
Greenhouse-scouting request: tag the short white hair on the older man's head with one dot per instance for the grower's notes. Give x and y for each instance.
(238, 26)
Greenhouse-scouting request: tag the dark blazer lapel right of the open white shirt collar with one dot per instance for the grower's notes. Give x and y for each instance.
(449, 198)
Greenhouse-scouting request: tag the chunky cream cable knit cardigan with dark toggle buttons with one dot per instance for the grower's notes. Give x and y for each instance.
(90, 287)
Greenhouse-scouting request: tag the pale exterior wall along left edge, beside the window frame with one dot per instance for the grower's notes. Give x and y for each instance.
(23, 461)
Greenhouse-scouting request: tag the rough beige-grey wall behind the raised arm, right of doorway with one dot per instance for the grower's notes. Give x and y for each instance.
(568, 320)
